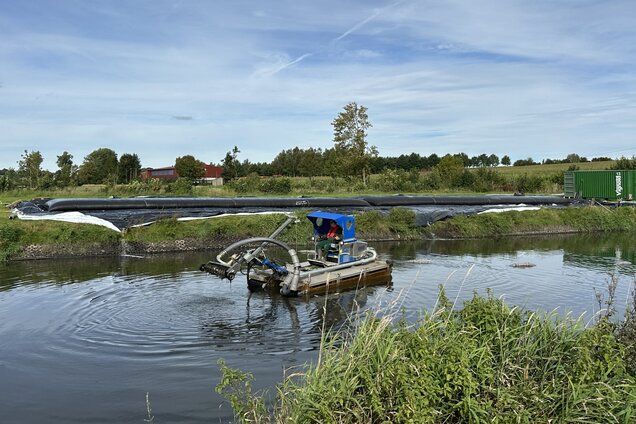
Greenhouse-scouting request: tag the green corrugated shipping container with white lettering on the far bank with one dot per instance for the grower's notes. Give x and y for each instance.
(608, 185)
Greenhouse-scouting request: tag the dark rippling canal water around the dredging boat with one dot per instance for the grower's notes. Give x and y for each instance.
(85, 340)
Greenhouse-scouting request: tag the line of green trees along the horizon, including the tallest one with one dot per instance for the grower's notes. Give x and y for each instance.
(351, 156)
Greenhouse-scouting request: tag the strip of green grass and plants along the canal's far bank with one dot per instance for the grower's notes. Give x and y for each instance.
(396, 224)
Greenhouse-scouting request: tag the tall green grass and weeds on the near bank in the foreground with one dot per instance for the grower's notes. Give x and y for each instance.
(485, 363)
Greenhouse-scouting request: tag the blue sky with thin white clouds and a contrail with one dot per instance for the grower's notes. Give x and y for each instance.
(163, 79)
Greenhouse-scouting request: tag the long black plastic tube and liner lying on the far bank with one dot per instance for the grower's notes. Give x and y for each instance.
(128, 212)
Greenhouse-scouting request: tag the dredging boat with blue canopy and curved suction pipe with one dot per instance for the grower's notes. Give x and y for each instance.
(348, 263)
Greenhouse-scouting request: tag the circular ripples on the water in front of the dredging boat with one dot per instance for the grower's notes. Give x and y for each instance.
(166, 315)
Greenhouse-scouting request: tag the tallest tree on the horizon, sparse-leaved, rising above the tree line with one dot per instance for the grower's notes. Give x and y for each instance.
(352, 151)
